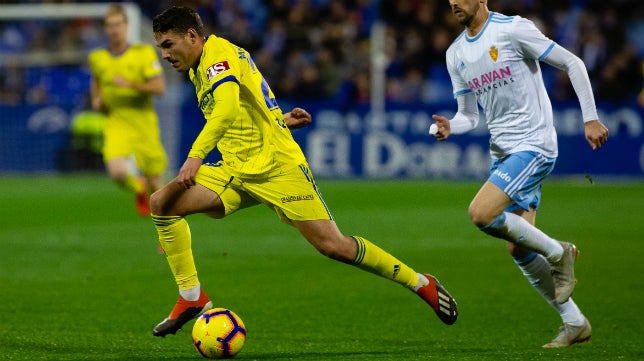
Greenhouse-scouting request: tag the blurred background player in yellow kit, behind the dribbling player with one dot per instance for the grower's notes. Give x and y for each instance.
(124, 78)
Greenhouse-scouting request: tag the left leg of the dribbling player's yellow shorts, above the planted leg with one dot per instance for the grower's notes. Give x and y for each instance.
(215, 177)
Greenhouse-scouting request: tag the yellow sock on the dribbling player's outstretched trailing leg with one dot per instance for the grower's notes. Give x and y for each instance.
(373, 259)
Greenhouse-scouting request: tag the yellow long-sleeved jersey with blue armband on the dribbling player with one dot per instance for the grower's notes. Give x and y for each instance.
(243, 119)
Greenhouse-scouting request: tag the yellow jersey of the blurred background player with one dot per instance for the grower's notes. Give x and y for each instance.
(129, 112)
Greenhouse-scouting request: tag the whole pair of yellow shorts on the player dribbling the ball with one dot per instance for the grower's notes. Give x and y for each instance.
(293, 194)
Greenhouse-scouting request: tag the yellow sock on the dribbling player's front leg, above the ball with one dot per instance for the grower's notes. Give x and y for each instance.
(174, 236)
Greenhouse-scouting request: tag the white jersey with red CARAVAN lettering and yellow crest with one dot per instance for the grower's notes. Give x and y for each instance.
(501, 67)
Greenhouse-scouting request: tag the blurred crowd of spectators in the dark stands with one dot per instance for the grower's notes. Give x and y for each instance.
(320, 49)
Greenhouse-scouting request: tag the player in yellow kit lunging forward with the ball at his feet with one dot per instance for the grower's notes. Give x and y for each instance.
(261, 164)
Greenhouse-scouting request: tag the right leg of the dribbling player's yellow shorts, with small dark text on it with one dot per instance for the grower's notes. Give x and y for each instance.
(293, 195)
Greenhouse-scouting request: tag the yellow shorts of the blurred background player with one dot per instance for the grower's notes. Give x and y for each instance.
(149, 153)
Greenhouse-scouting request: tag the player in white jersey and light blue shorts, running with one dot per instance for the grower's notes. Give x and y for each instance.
(495, 61)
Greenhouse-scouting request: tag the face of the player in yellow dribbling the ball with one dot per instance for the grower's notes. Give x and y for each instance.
(178, 49)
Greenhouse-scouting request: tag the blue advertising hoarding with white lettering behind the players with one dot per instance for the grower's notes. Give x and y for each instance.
(355, 144)
